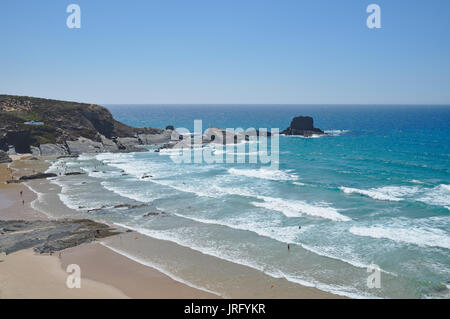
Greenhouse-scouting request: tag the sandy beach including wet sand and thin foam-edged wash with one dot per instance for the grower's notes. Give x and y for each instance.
(124, 270)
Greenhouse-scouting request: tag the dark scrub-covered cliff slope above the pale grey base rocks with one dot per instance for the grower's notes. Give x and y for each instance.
(63, 121)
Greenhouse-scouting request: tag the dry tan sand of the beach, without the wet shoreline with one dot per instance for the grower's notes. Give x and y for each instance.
(105, 274)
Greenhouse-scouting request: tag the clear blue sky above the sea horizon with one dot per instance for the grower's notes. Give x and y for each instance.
(227, 51)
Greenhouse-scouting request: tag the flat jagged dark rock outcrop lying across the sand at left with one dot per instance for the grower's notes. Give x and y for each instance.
(50, 235)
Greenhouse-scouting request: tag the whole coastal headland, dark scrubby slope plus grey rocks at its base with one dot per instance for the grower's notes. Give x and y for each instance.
(51, 127)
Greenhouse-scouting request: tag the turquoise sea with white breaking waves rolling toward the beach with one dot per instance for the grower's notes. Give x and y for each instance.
(375, 191)
